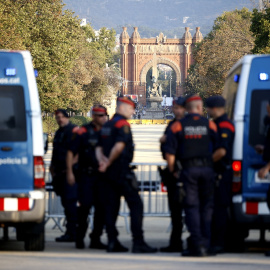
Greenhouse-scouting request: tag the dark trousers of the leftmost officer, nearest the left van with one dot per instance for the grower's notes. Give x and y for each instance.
(68, 195)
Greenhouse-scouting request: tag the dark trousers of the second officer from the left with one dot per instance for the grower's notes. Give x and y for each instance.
(90, 194)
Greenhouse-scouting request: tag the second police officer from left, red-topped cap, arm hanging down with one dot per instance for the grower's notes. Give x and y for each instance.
(89, 183)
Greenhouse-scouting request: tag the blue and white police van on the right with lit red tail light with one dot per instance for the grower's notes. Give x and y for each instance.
(247, 93)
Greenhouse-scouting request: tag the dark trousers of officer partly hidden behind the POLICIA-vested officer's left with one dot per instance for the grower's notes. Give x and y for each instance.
(176, 213)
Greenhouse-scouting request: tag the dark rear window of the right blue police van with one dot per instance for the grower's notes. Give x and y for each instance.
(258, 111)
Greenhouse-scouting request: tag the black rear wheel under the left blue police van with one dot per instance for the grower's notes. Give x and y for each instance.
(35, 240)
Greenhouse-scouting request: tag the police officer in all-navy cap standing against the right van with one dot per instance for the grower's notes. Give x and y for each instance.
(222, 158)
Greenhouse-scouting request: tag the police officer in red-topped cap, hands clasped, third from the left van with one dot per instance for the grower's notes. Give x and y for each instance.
(114, 153)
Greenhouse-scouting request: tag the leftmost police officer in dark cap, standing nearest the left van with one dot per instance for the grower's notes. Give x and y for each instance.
(67, 193)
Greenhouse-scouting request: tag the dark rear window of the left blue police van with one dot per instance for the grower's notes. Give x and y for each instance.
(12, 114)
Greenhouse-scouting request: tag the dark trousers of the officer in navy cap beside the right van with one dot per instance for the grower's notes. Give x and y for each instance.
(222, 200)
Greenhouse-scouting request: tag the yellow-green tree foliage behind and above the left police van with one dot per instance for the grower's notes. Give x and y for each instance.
(71, 69)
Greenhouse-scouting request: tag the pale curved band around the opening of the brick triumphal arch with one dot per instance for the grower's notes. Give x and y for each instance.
(164, 61)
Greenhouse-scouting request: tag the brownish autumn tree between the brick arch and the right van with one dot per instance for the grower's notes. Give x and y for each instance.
(228, 41)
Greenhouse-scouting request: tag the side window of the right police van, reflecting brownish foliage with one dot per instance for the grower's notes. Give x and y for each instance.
(230, 90)
